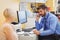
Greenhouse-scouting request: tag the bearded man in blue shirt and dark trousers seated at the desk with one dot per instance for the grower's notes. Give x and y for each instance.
(48, 24)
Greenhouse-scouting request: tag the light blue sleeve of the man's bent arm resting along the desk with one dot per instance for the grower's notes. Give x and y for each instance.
(53, 23)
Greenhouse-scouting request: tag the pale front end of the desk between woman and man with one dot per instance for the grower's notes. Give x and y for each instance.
(26, 36)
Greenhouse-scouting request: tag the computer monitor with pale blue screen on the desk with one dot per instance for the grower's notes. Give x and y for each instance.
(22, 17)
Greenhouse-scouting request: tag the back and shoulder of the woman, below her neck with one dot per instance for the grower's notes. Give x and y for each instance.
(9, 32)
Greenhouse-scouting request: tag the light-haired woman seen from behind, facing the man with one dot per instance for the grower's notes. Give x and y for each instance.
(7, 27)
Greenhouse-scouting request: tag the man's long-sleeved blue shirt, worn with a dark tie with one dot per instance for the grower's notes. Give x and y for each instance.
(49, 26)
